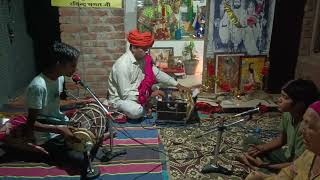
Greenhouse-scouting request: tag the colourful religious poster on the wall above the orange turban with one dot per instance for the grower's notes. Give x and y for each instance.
(172, 19)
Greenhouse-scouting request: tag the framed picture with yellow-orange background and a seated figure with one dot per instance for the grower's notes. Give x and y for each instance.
(251, 72)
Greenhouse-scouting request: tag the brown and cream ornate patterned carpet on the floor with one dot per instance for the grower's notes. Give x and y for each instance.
(187, 155)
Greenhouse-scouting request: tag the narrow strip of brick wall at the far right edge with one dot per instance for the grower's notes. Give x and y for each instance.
(308, 64)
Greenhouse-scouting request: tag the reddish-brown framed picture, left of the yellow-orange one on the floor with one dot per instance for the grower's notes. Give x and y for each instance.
(227, 72)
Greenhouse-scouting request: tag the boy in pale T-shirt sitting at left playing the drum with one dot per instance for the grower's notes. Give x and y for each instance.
(45, 122)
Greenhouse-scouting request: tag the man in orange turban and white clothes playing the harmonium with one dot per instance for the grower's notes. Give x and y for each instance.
(132, 75)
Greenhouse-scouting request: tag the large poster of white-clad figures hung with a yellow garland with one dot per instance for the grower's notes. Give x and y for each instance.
(243, 26)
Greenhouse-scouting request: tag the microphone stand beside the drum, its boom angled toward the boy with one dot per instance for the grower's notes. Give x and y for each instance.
(108, 154)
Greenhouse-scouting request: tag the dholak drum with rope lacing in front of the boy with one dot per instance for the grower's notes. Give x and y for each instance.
(90, 125)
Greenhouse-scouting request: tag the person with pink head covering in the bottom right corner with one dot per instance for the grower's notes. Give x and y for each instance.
(307, 166)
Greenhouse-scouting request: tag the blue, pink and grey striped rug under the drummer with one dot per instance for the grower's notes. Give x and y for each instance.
(142, 161)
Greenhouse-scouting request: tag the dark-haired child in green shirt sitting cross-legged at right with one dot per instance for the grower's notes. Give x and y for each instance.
(295, 97)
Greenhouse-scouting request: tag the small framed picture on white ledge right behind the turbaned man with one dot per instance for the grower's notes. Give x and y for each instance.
(162, 56)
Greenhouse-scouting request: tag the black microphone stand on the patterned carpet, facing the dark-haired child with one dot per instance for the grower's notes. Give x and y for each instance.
(214, 167)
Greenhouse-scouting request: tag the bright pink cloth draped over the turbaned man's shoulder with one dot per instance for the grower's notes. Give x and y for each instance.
(146, 84)
